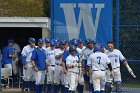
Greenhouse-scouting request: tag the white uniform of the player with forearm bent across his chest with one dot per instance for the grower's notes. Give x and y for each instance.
(59, 72)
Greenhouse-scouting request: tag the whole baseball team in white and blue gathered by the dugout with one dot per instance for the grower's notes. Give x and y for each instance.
(61, 66)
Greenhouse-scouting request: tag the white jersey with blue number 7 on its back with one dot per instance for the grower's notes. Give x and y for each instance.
(98, 61)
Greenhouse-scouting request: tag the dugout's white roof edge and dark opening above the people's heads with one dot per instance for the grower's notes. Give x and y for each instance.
(21, 28)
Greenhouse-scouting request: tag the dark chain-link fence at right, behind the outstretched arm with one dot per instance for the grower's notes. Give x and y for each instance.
(129, 37)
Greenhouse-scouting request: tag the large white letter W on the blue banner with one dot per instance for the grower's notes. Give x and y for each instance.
(85, 15)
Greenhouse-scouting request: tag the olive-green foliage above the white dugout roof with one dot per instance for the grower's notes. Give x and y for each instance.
(28, 8)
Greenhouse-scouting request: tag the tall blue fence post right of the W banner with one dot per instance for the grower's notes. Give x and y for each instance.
(117, 23)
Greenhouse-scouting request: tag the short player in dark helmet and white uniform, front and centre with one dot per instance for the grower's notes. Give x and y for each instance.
(72, 66)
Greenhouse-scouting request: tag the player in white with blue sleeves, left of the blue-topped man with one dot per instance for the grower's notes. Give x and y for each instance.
(28, 71)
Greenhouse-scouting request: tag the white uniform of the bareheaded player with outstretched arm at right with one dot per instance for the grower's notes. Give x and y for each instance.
(115, 57)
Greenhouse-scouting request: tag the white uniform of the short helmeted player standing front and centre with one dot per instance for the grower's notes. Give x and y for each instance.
(72, 73)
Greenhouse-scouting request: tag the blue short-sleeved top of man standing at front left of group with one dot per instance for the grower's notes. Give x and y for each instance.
(39, 57)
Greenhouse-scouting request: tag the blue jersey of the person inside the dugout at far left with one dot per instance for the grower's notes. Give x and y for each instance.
(5, 55)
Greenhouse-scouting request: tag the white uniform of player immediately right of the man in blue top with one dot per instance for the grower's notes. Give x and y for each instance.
(50, 55)
